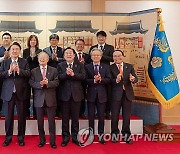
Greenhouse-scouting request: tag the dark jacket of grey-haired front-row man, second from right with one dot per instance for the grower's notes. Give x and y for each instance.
(99, 89)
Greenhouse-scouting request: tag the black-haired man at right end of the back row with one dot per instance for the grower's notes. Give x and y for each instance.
(106, 58)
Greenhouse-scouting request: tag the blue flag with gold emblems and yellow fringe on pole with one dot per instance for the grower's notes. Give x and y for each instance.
(162, 79)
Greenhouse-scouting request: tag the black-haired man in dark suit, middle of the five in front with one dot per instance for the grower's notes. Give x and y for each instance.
(70, 73)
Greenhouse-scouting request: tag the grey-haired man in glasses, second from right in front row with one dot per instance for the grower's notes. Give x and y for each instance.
(97, 78)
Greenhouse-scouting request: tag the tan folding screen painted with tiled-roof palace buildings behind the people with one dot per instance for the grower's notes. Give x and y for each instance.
(131, 32)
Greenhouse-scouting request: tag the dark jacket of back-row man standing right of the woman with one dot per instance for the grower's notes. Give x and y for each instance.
(59, 53)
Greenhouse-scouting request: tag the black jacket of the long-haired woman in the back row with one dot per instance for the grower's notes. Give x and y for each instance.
(33, 63)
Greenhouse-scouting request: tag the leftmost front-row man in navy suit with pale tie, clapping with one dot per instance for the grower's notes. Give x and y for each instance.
(14, 72)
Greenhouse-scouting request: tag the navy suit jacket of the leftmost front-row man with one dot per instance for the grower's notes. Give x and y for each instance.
(20, 80)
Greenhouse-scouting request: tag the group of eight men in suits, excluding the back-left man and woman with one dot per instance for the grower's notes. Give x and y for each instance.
(64, 76)
